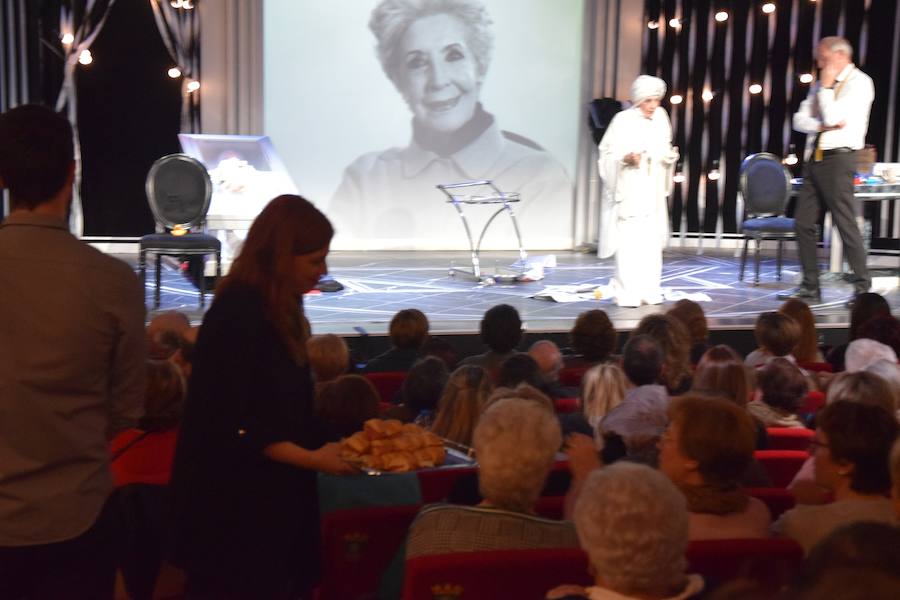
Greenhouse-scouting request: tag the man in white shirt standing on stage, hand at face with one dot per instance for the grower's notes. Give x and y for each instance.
(836, 112)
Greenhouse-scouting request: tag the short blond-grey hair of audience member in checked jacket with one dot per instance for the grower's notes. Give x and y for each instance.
(515, 441)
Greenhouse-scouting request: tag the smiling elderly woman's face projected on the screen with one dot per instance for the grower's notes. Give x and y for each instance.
(438, 72)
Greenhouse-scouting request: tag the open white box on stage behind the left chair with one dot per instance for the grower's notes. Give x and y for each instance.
(246, 173)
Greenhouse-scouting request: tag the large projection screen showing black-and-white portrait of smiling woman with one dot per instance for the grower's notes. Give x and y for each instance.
(371, 105)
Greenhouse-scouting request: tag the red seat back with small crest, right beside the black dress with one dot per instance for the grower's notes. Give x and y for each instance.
(357, 546)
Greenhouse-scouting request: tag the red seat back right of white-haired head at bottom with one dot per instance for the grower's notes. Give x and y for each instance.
(771, 562)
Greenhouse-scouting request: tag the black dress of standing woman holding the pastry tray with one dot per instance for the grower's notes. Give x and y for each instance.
(244, 525)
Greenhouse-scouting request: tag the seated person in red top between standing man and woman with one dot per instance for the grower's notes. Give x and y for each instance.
(144, 454)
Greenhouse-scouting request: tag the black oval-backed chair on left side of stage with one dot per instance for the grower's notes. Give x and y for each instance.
(178, 191)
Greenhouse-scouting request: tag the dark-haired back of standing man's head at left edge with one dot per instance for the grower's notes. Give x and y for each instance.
(36, 154)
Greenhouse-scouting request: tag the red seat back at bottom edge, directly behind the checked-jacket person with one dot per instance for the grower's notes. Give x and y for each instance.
(520, 574)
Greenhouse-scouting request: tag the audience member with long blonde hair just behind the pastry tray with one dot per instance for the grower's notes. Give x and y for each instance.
(462, 402)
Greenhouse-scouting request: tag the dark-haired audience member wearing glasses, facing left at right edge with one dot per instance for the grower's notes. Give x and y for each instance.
(852, 444)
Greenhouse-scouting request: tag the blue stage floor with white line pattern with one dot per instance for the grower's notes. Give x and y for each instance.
(378, 284)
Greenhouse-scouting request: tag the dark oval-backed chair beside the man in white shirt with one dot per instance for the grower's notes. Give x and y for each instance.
(765, 186)
